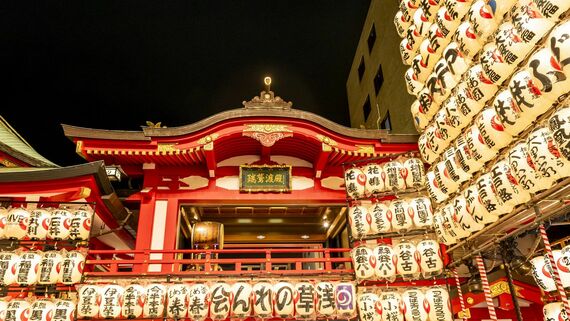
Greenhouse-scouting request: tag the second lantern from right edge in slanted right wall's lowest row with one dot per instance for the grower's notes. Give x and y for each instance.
(546, 156)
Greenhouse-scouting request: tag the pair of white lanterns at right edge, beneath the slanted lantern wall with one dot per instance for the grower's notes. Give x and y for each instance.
(542, 270)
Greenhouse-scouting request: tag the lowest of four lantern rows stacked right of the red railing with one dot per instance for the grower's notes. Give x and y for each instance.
(423, 304)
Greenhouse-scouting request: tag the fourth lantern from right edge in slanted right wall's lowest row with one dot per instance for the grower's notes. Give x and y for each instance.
(506, 185)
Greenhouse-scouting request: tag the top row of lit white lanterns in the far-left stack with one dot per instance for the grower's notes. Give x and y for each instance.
(19, 223)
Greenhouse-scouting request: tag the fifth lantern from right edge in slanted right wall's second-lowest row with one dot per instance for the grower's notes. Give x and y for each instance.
(492, 130)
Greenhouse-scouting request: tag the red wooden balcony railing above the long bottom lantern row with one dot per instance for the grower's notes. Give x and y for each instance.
(230, 262)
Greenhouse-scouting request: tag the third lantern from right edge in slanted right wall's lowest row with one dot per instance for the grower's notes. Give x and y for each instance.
(524, 170)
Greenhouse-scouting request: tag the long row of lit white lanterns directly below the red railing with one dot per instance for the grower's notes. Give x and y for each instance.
(219, 300)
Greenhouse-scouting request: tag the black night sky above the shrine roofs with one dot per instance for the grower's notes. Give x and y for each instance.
(117, 64)
